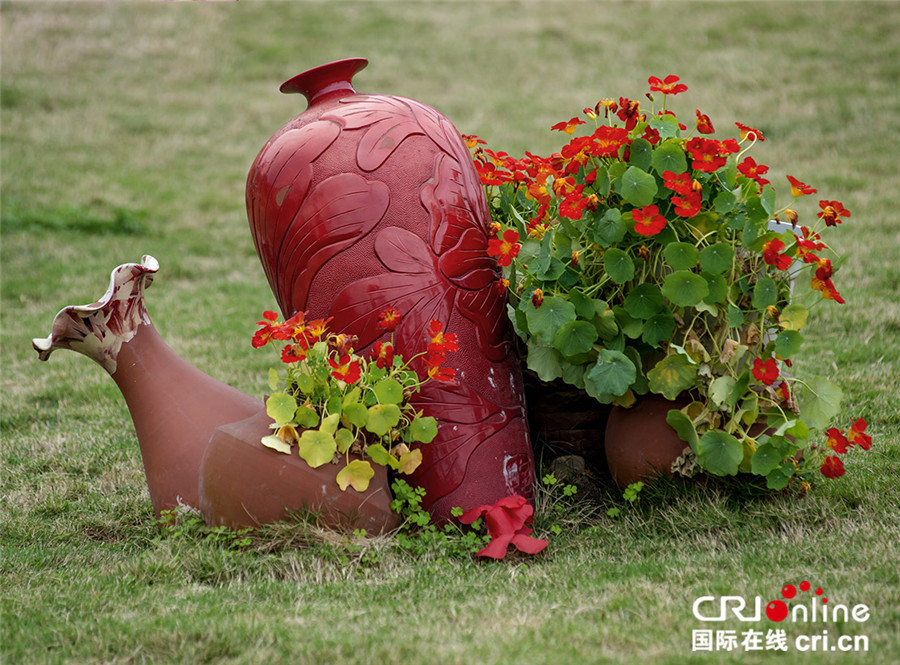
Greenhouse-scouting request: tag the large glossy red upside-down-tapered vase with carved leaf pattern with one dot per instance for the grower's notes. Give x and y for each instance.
(365, 202)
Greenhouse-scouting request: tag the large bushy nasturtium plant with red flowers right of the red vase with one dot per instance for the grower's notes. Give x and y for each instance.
(647, 255)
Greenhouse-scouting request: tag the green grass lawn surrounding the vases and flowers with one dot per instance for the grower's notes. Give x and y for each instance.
(129, 129)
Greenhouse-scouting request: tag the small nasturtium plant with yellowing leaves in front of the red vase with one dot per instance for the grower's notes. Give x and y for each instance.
(329, 403)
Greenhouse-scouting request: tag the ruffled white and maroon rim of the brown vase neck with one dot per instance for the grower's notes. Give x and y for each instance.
(100, 329)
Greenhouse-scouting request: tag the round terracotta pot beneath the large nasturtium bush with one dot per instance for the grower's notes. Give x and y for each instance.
(640, 444)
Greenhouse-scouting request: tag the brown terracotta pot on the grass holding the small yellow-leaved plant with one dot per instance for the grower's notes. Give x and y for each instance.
(245, 484)
